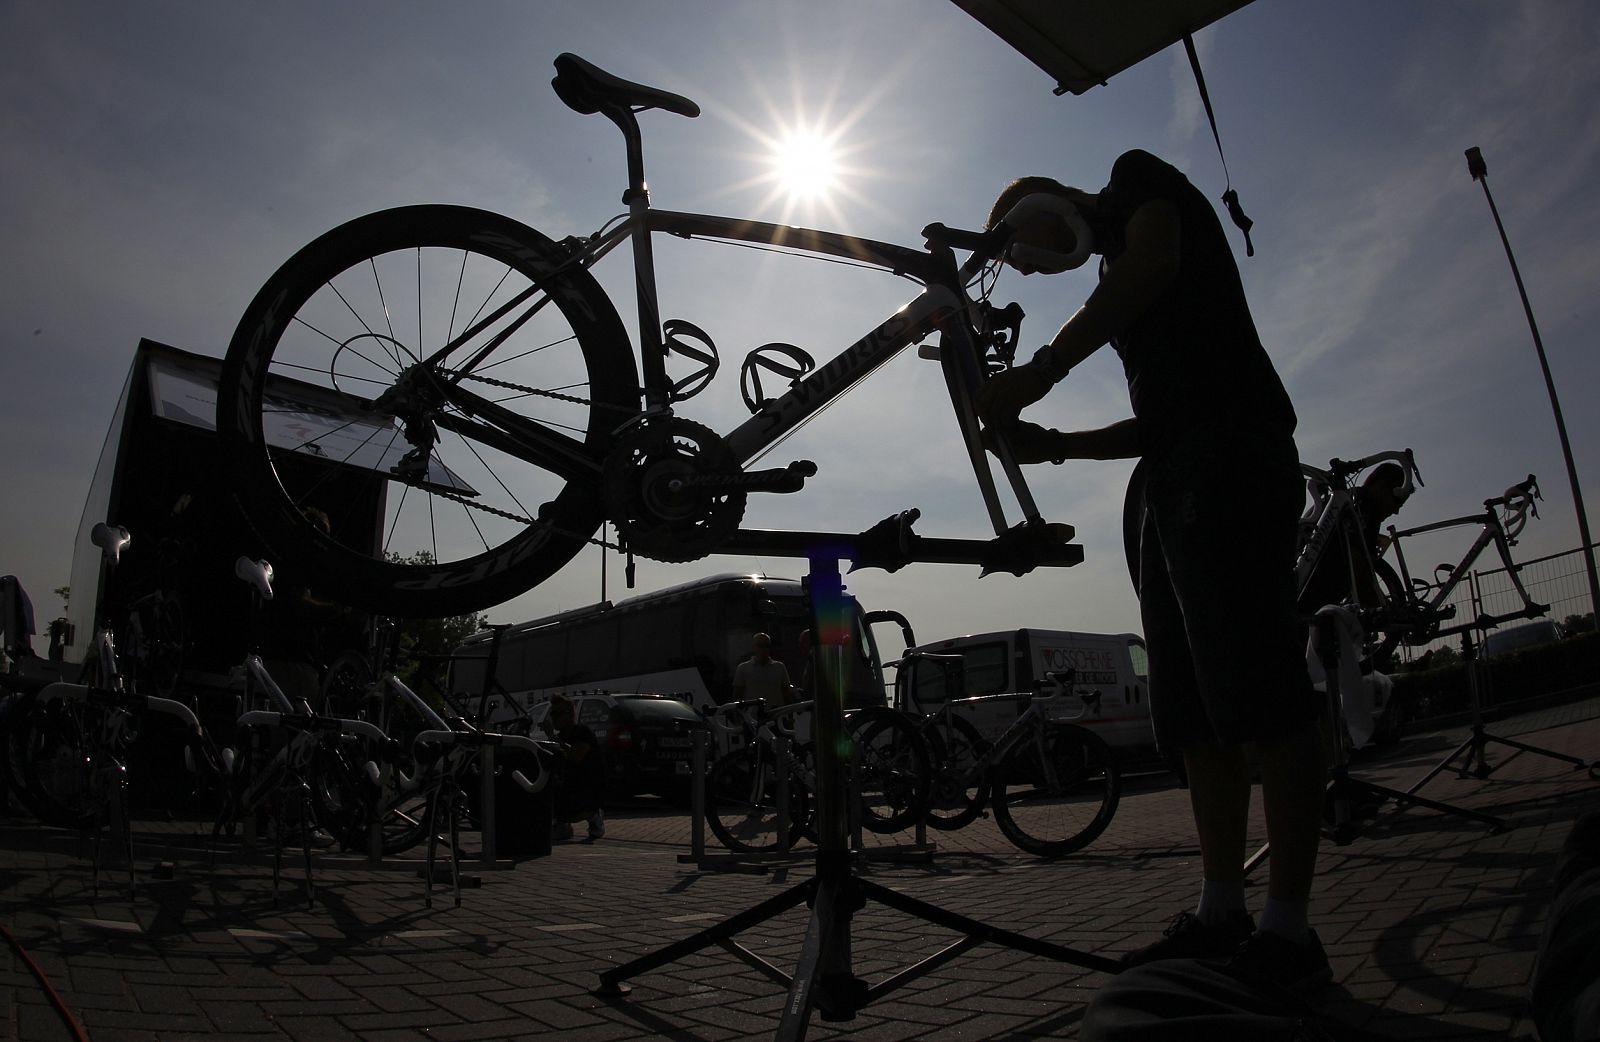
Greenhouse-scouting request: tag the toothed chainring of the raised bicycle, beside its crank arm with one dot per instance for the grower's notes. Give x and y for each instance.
(652, 495)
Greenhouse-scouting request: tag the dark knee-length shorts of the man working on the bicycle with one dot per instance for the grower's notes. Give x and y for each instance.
(1217, 591)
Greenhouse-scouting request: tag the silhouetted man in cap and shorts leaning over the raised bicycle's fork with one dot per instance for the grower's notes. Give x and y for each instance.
(1228, 651)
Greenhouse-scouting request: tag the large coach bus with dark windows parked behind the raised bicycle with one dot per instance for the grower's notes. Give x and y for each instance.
(684, 641)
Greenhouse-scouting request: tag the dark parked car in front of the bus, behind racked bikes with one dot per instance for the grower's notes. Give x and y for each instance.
(647, 740)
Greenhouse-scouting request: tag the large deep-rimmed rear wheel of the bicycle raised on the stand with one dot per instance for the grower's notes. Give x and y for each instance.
(438, 388)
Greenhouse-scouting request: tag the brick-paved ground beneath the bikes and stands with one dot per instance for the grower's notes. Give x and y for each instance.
(1431, 923)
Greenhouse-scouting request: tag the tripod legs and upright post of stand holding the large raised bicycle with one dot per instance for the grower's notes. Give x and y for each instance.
(823, 977)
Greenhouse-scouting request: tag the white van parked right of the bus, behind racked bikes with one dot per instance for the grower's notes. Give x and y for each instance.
(991, 667)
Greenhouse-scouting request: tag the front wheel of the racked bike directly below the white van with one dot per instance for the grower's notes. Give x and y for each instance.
(1057, 793)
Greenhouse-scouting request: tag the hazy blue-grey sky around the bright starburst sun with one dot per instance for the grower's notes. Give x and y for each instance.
(164, 158)
